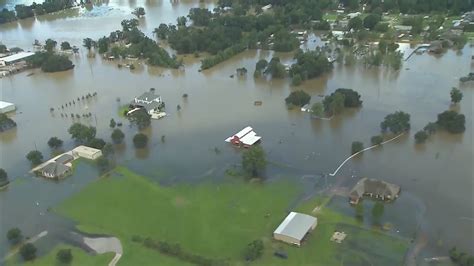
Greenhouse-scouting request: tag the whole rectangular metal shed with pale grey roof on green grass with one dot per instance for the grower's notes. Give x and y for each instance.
(295, 227)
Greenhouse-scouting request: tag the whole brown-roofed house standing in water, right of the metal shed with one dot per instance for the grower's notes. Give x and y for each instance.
(374, 188)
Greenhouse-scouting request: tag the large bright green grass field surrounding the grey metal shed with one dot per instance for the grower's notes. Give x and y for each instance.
(218, 221)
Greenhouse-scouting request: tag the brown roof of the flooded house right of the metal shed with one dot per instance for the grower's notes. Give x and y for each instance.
(374, 186)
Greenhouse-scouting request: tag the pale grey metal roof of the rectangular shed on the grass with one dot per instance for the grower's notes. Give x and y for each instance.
(296, 225)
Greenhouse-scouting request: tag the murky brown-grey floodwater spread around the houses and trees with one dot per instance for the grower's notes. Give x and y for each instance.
(436, 178)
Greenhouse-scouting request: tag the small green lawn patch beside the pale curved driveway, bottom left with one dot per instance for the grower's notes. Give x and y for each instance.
(80, 258)
